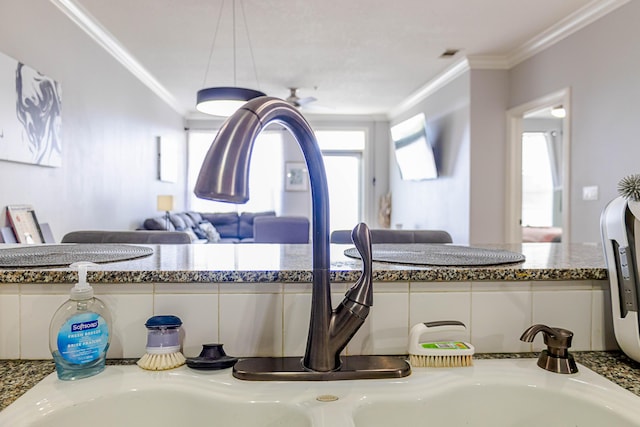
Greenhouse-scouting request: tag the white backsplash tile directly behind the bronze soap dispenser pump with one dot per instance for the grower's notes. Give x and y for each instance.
(564, 309)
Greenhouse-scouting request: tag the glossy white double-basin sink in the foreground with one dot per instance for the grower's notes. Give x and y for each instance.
(512, 392)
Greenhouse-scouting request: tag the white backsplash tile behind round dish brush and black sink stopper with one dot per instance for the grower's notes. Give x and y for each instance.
(199, 315)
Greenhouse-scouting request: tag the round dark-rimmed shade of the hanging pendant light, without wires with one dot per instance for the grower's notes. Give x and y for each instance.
(224, 101)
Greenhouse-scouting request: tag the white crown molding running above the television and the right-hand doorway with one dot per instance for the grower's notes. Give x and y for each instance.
(552, 35)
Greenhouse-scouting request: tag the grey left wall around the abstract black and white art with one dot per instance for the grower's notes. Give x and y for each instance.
(110, 122)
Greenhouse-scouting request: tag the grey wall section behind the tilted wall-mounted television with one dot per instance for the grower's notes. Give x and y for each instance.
(442, 203)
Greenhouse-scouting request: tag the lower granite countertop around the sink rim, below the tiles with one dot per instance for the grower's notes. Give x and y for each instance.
(18, 376)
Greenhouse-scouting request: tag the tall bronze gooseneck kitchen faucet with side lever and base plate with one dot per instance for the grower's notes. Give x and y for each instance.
(224, 176)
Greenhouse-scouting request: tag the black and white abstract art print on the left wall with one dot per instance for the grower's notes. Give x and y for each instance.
(30, 115)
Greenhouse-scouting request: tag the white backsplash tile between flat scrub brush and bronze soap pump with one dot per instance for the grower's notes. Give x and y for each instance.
(498, 320)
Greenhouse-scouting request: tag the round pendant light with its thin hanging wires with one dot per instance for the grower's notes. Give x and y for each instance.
(224, 101)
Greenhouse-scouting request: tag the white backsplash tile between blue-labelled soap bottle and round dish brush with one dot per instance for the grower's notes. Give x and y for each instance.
(129, 312)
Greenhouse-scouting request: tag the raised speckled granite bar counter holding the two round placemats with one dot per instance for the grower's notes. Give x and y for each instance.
(293, 263)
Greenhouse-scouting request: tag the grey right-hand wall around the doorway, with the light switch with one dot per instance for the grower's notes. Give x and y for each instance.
(600, 64)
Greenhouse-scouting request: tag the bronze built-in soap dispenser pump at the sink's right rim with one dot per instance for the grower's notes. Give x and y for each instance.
(556, 357)
